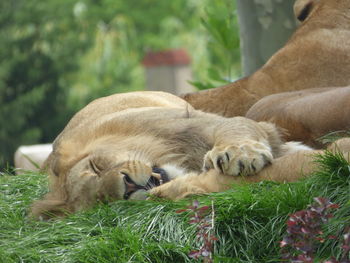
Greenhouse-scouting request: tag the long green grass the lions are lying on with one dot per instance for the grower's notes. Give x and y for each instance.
(250, 222)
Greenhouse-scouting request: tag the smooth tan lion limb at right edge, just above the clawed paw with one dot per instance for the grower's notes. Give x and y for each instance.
(307, 115)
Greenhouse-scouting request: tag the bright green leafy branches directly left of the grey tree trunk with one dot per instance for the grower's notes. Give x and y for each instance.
(221, 23)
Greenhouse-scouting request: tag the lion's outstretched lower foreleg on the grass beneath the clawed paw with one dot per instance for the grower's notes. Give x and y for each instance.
(287, 168)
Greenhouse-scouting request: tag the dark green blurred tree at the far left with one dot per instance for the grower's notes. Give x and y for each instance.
(34, 62)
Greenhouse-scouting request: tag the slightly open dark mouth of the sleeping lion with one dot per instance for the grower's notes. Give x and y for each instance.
(158, 177)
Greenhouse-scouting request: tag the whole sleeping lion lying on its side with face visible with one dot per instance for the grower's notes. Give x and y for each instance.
(122, 146)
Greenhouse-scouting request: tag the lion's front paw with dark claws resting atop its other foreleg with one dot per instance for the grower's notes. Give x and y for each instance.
(245, 159)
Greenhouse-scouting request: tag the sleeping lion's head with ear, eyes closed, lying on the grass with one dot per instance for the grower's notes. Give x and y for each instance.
(90, 181)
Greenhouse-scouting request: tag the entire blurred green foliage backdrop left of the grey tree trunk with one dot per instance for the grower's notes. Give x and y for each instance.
(56, 56)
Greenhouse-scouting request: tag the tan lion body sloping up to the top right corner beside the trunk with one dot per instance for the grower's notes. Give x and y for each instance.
(316, 56)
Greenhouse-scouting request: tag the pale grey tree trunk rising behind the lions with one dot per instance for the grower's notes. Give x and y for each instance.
(265, 26)
